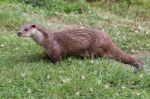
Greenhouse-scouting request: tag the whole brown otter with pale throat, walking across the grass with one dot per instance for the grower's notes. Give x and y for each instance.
(76, 42)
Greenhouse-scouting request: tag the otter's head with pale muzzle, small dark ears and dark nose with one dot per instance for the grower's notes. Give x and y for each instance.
(27, 30)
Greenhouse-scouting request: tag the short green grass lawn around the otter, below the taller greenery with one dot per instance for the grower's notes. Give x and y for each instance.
(24, 74)
